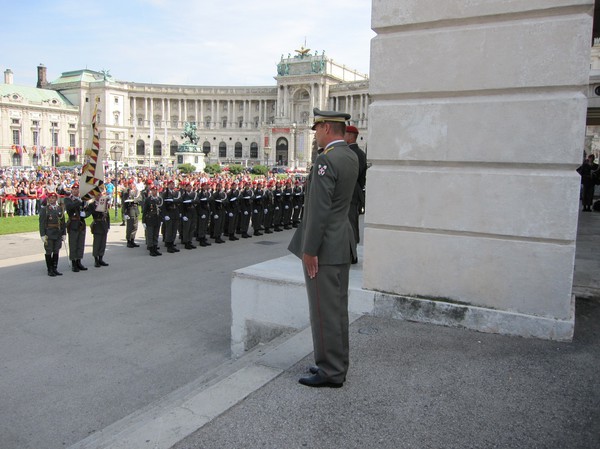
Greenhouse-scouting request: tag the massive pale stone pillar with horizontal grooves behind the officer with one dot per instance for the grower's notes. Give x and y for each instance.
(476, 127)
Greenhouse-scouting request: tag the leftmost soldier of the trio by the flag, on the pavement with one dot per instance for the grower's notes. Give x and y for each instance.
(52, 232)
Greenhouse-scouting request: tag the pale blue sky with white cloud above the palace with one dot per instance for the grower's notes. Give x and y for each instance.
(195, 42)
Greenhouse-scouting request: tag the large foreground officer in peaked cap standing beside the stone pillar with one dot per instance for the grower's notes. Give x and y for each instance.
(325, 242)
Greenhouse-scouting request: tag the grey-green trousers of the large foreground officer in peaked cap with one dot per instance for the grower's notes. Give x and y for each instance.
(328, 309)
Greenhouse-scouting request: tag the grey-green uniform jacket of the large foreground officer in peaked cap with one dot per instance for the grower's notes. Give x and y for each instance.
(325, 230)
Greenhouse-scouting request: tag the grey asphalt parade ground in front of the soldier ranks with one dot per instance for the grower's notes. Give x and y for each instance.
(82, 351)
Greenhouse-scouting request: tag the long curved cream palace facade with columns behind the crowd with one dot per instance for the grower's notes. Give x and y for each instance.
(142, 124)
